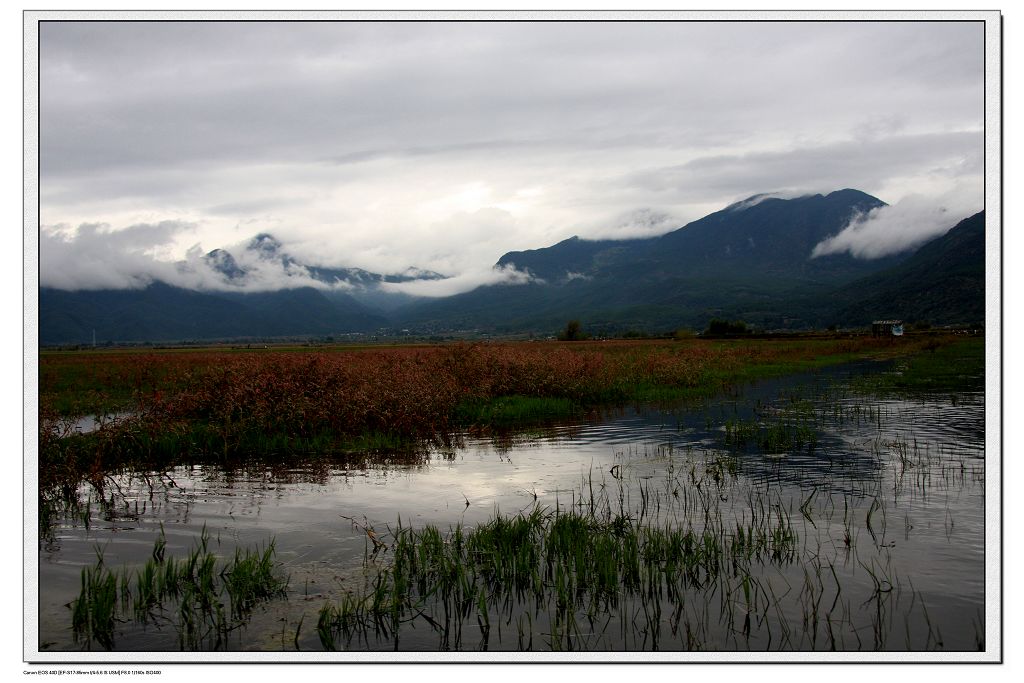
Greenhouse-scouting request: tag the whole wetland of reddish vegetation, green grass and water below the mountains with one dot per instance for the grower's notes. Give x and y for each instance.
(740, 496)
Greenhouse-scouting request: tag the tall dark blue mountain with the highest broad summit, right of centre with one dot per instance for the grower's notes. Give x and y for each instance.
(754, 260)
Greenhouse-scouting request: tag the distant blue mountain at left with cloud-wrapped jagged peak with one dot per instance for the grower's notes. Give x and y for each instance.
(255, 291)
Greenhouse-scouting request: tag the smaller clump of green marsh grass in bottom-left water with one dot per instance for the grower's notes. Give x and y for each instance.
(204, 601)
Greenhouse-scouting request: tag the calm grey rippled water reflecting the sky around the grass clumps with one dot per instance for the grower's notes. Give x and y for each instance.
(888, 507)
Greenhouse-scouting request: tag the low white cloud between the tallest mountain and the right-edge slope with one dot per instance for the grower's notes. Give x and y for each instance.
(902, 227)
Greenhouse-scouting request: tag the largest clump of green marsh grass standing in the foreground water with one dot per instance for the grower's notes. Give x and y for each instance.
(572, 572)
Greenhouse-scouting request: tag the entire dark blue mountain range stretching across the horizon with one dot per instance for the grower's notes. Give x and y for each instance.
(750, 262)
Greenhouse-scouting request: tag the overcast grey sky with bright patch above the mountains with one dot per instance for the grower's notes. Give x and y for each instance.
(443, 146)
